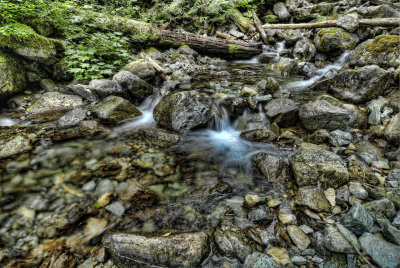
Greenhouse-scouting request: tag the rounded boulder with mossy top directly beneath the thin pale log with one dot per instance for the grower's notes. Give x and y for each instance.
(335, 41)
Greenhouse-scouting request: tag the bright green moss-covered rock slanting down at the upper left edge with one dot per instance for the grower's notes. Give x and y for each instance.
(24, 41)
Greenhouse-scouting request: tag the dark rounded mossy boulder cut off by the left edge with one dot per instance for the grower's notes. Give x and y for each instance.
(12, 75)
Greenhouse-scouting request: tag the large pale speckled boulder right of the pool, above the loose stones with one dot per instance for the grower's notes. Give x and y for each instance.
(311, 167)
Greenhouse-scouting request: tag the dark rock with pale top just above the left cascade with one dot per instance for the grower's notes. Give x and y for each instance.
(139, 88)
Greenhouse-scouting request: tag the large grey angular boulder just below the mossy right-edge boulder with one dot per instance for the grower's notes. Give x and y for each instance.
(360, 85)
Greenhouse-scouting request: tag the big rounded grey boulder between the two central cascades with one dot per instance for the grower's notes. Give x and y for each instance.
(183, 111)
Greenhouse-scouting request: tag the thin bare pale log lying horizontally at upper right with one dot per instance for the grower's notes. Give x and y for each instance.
(383, 22)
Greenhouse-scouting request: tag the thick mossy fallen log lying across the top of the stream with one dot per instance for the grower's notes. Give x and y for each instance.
(146, 32)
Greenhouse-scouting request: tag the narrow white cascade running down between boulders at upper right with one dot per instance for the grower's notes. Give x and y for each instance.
(338, 64)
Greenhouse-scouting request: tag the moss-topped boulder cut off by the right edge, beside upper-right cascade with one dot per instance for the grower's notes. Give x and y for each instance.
(382, 51)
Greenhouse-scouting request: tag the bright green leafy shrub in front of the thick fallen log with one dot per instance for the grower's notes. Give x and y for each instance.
(98, 56)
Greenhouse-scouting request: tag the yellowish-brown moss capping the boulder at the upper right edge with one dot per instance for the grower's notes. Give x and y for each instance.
(384, 44)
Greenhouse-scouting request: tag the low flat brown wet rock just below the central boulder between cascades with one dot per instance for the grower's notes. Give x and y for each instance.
(159, 137)
